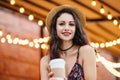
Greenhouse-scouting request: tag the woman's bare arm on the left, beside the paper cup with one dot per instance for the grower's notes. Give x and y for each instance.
(44, 68)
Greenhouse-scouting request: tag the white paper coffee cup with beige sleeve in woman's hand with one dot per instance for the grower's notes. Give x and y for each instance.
(58, 68)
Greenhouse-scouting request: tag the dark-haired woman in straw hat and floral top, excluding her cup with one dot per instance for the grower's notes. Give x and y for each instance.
(69, 42)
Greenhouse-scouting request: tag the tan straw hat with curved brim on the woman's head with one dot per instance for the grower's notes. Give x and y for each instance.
(55, 10)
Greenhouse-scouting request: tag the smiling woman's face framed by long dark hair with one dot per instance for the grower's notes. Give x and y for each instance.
(65, 27)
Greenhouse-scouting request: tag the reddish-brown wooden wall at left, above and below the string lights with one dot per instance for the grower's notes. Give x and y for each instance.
(18, 62)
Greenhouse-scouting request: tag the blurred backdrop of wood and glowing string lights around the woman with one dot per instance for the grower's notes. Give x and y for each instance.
(24, 37)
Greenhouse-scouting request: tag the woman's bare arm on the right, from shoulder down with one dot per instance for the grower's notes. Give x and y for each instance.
(89, 63)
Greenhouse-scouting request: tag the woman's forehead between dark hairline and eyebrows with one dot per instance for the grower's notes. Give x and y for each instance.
(65, 17)
